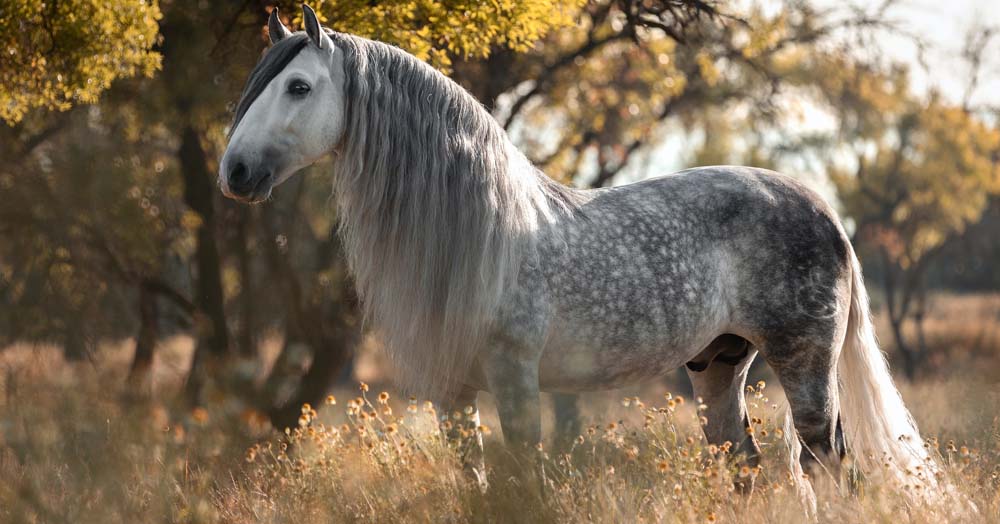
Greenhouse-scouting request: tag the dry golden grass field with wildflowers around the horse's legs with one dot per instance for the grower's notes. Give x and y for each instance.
(71, 450)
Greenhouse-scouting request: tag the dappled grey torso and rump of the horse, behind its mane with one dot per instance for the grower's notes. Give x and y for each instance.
(647, 274)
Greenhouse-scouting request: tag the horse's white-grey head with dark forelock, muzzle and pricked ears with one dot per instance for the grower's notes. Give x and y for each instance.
(291, 112)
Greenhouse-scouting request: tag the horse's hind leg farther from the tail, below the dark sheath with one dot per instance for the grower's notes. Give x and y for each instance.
(718, 375)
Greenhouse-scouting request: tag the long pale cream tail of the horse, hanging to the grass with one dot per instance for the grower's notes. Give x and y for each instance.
(879, 430)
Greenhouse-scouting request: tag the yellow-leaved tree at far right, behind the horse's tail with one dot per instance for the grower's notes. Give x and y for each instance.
(927, 179)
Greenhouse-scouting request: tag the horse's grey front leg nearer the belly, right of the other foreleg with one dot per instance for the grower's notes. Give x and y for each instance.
(512, 377)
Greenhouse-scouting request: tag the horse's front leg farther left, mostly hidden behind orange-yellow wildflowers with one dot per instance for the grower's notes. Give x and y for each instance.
(460, 424)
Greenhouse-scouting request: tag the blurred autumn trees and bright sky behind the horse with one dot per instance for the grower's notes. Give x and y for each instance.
(121, 261)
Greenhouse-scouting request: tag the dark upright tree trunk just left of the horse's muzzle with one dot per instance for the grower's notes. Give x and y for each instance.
(211, 333)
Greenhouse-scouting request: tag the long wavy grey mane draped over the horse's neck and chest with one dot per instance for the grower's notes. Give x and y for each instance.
(436, 209)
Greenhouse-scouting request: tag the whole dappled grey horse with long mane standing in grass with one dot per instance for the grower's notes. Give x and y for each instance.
(482, 274)
